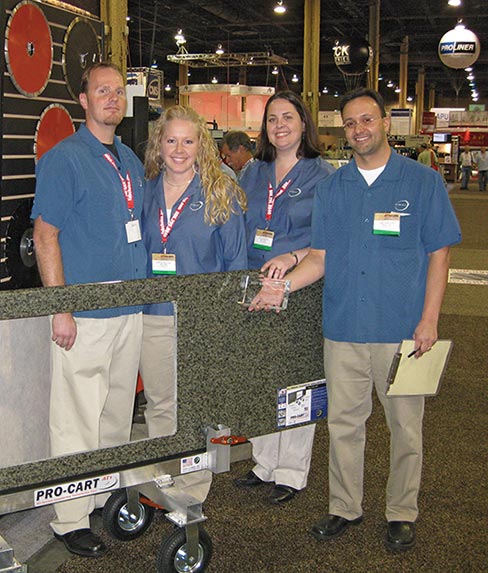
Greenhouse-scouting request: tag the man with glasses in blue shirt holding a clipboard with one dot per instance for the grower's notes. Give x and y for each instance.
(384, 224)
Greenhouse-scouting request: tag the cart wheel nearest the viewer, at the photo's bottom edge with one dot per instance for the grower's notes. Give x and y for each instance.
(172, 554)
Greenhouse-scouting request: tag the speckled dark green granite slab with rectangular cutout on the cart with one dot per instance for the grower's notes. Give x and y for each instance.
(230, 362)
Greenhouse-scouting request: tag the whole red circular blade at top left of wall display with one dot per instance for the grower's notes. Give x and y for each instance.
(28, 49)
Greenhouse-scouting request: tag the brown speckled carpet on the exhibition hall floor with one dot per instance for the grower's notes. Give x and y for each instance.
(251, 536)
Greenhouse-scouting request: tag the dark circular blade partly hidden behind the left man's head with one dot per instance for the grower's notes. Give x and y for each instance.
(81, 48)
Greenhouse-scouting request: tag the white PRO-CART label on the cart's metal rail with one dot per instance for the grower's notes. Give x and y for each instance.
(74, 489)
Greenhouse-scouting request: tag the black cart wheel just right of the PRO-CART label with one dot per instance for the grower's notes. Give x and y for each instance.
(119, 523)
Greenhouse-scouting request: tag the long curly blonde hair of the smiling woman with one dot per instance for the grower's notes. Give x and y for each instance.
(222, 194)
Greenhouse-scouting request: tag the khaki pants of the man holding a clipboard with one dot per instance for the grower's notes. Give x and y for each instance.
(351, 371)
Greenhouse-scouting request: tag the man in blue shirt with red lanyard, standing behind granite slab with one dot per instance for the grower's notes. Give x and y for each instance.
(87, 207)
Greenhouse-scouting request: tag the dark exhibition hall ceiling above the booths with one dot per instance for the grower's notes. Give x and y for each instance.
(248, 26)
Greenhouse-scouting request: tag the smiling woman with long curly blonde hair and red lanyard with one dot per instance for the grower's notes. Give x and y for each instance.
(192, 223)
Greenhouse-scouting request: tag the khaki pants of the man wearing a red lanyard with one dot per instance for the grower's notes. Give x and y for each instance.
(92, 398)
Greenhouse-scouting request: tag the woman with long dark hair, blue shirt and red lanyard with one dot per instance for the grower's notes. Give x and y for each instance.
(280, 186)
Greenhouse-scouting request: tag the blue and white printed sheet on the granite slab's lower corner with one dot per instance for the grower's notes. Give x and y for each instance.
(302, 403)
